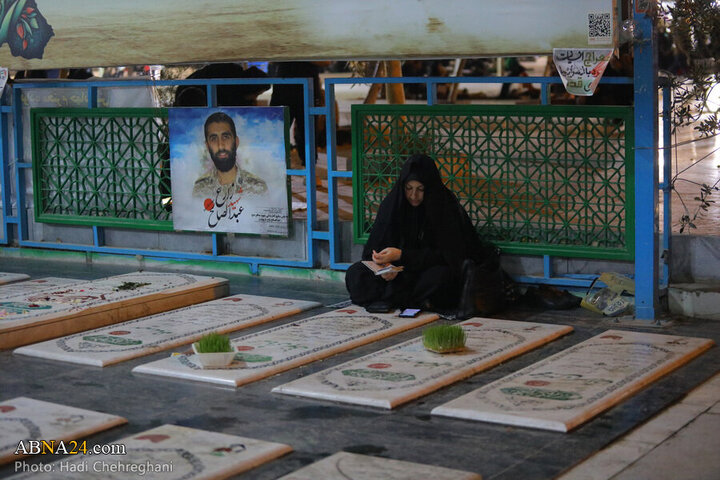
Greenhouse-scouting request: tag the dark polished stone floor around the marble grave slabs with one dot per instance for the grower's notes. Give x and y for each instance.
(316, 429)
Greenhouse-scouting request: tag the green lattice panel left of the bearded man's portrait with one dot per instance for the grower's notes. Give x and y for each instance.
(101, 167)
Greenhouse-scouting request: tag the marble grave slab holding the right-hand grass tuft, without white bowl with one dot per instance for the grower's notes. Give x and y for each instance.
(407, 371)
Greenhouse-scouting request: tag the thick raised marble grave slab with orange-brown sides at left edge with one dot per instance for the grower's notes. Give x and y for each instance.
(51, 313)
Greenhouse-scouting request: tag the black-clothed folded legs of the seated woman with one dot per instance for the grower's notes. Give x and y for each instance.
(407, 290)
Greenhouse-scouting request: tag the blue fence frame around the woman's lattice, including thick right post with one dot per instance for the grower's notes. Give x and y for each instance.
(646, 180)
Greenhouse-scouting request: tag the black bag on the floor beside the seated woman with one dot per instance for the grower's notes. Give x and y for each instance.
(484, 289)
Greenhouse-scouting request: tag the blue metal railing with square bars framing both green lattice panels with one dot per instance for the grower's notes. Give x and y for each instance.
(313, 235)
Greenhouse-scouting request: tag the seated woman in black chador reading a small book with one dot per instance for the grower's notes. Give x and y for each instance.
(422, 227)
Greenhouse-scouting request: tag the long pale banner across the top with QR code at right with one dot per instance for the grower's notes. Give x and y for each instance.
(44, 34)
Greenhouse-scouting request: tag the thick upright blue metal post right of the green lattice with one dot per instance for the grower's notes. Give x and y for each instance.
(646, 170)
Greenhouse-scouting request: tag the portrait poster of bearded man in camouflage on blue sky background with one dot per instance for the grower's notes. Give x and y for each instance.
(228, 169)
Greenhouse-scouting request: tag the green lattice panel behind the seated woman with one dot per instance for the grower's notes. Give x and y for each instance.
(553, 180)
